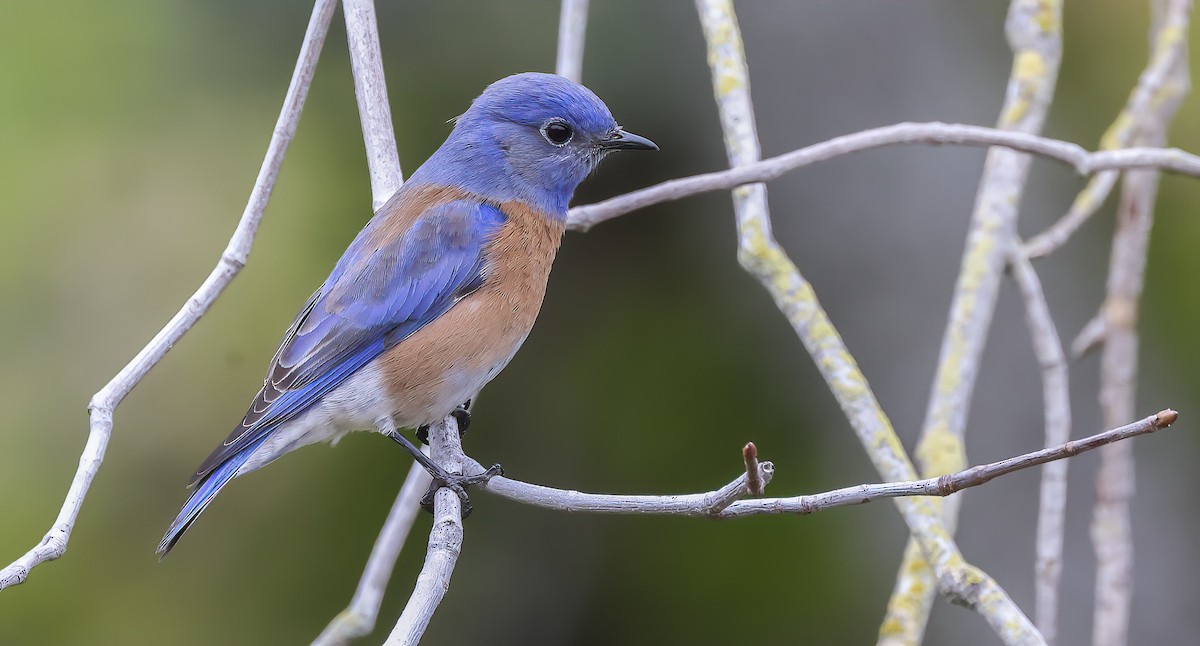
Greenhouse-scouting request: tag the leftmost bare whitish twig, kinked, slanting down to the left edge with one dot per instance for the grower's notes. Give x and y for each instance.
(235, 258)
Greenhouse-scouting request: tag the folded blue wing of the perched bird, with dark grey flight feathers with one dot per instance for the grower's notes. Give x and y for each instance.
(385, 289)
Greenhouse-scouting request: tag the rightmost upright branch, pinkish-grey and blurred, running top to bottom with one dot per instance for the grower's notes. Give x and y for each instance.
(1112, 525)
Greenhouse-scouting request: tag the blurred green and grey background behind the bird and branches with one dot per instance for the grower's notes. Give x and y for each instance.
(130, 136)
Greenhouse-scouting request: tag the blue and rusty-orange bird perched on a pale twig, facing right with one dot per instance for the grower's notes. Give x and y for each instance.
(437, 292)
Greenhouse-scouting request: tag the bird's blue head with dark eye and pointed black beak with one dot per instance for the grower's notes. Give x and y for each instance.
(532, 137)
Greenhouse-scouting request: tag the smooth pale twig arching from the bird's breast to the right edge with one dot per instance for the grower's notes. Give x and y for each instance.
(934, 133)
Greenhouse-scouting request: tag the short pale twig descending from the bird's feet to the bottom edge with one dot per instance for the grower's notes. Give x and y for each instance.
(446, 542)
